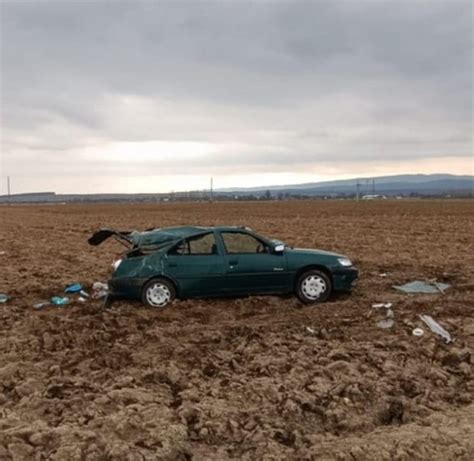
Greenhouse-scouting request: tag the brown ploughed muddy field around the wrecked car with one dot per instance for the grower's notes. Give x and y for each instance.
(239, 378)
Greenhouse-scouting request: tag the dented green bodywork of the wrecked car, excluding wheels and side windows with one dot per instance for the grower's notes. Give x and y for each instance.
(220, 273)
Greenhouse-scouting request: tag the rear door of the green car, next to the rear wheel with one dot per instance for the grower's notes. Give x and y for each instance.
(197, 265)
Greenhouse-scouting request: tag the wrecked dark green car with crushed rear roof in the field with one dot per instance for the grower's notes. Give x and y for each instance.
(185, 262)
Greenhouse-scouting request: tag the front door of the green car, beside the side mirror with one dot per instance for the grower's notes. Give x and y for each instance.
(252, 266)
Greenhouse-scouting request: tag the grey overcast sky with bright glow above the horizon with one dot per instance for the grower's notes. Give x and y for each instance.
(158, 96)
